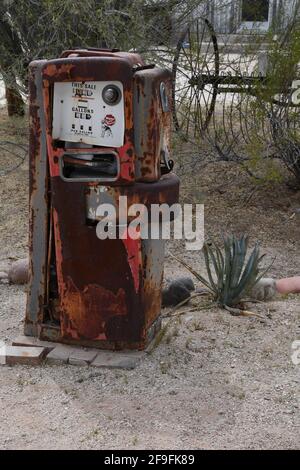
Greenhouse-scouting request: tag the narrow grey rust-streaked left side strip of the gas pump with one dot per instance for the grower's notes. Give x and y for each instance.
(38, 225)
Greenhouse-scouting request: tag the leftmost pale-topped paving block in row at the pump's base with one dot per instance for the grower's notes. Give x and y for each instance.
(14, 355)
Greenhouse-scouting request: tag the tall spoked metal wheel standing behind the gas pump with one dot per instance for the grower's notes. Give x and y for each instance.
(196, 68)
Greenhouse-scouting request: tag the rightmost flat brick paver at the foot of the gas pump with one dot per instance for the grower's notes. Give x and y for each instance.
(117, 360)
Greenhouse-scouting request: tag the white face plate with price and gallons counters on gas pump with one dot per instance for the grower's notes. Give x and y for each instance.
(81, 115)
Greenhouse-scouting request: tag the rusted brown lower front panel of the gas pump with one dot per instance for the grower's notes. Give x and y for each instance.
(97, 286)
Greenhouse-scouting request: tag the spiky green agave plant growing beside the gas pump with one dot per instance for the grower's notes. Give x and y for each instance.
(231, 273)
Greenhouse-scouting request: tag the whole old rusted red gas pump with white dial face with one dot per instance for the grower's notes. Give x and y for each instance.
(85, 150)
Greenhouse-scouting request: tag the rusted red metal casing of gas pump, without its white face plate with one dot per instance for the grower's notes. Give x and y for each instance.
(84, 290)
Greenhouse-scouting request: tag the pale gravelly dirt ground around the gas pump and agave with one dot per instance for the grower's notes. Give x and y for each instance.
(214, 382)
